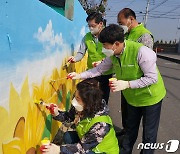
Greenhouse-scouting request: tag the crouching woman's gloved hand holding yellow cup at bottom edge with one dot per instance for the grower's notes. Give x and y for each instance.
(51, 149)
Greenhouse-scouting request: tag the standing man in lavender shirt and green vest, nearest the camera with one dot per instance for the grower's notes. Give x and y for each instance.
(140, 81)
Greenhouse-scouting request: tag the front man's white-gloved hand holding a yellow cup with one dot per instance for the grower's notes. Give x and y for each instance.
(119, 85)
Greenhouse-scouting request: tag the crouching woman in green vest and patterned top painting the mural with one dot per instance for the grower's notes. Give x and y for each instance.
(94, 129)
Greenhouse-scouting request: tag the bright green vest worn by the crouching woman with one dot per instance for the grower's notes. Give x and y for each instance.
(109, 144)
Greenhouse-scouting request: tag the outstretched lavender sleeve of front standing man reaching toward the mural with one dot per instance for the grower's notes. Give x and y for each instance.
(105, 65)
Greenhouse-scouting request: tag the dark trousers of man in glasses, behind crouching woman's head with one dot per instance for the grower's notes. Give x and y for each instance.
(104, 85)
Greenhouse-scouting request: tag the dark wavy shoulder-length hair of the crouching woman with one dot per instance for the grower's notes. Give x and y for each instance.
(91, 96)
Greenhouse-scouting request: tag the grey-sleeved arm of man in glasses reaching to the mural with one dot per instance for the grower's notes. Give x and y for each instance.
(81, 52)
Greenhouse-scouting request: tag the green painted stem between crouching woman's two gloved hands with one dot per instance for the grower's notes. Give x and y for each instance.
(47, 129)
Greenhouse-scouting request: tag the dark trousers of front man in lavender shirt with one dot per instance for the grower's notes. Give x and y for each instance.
(151, 117)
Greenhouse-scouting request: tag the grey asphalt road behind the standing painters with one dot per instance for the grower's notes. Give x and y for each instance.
(169, 128)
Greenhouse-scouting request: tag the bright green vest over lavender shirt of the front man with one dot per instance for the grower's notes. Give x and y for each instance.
(130, 70)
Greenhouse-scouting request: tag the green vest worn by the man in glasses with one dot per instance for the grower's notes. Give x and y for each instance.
(94, 52)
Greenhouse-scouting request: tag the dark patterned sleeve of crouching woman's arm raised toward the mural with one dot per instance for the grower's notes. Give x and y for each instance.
(66, 116)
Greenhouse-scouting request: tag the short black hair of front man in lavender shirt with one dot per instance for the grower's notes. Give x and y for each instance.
(111, 34)
